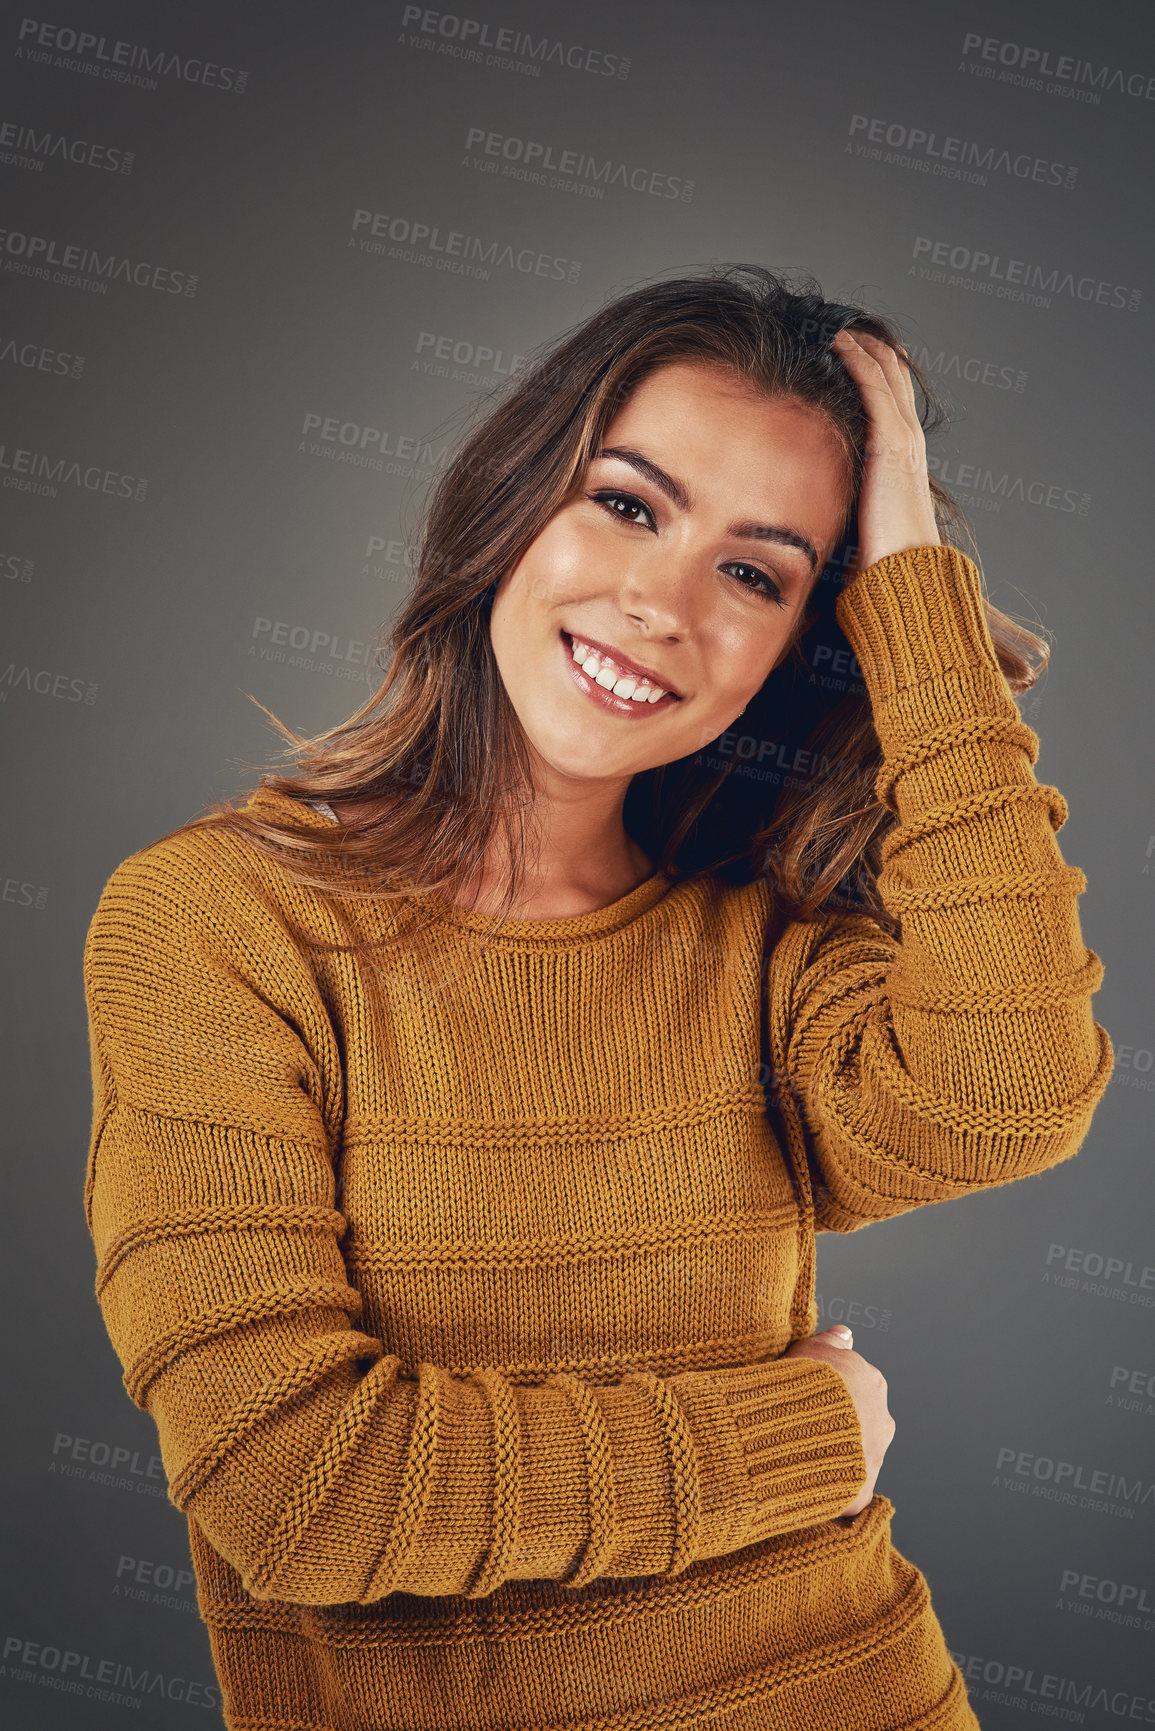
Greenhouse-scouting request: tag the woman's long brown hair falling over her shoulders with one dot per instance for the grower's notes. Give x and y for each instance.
(436, 759)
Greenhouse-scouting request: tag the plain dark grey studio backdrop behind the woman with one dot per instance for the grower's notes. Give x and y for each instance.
(132, 634)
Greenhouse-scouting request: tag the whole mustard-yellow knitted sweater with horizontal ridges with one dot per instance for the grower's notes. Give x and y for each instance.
(458, 1287)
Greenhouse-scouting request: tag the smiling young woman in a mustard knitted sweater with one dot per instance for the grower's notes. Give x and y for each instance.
(467, 1104)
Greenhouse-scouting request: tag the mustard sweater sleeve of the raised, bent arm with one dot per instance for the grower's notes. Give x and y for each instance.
(965, 1053)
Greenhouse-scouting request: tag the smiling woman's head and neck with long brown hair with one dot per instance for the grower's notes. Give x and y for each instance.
(683, 472)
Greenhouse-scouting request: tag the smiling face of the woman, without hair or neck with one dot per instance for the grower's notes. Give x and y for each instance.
(690, 550)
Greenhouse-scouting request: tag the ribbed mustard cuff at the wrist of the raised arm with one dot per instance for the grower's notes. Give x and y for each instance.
(915, 617)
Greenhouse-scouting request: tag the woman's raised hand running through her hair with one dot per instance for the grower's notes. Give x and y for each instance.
(896, 506)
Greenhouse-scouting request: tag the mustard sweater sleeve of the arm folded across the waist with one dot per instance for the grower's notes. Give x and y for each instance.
(314, 1465)
